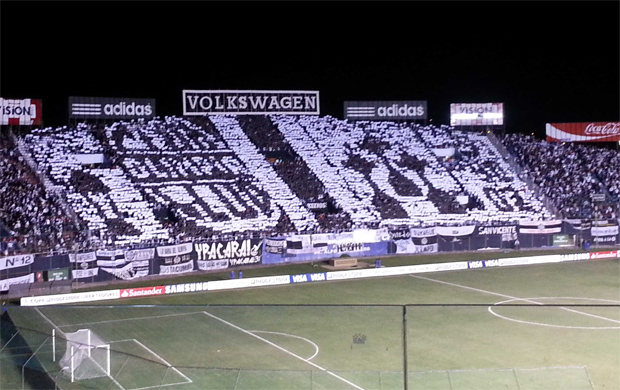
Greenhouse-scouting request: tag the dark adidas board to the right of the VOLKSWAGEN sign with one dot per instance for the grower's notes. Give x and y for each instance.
(385, 110)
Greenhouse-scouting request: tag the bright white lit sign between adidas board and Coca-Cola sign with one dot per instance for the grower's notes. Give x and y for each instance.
(476, 114)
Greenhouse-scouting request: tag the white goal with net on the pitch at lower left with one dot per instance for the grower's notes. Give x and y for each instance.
(87, 356)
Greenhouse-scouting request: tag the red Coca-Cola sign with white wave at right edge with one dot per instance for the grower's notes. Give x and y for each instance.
(583, 132)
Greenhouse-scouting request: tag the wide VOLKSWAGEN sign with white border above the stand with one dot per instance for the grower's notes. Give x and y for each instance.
(238, 102)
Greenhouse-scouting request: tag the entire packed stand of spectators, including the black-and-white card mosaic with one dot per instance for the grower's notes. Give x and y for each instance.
(172, 179)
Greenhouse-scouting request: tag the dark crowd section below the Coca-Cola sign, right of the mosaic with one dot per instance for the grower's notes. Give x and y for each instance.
(570, 173)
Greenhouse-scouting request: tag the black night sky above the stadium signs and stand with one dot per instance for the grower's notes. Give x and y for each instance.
(546, 61)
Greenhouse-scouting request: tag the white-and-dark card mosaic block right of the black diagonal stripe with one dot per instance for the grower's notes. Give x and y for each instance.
(362, 164)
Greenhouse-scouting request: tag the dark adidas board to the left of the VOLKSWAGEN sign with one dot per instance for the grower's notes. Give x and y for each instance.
(110, 108)
